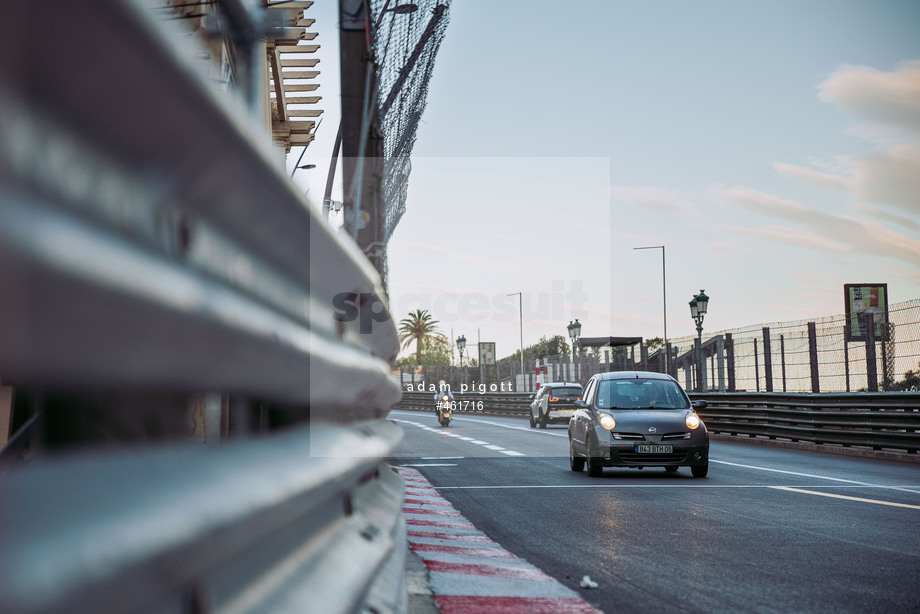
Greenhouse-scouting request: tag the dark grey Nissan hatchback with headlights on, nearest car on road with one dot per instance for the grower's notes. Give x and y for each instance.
(637, 419)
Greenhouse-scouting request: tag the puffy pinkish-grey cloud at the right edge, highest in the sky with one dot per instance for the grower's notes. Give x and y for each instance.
(885, 97)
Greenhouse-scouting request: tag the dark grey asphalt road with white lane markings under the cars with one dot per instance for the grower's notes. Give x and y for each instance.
(770, 530)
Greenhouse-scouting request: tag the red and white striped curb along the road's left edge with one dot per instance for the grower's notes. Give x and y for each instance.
(469, 573)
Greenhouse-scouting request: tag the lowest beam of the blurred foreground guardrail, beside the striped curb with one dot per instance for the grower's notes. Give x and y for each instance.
(293, 523)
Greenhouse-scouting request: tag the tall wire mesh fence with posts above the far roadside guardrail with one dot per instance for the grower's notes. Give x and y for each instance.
(798, 356)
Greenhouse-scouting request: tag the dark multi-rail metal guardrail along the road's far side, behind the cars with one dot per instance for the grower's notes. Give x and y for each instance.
(889, 420)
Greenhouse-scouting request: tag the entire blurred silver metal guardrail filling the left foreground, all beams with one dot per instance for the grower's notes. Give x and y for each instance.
(152, 244)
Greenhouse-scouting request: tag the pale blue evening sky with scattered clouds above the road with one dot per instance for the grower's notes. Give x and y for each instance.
(773, 148)
